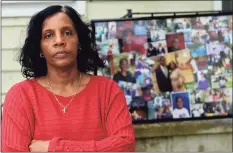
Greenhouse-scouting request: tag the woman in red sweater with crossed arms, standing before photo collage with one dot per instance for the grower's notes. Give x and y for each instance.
(62, 108)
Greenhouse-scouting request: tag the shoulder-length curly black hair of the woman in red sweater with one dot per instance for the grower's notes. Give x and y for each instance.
(29, 58)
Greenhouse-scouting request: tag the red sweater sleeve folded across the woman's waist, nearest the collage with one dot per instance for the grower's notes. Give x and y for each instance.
(119, 129)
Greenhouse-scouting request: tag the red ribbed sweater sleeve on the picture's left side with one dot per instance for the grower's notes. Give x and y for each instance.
(16, 133)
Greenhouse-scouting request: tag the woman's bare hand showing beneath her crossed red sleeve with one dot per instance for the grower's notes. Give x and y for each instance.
(39, 146)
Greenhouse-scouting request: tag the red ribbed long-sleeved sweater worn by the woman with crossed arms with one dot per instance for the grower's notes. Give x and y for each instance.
(97, 120)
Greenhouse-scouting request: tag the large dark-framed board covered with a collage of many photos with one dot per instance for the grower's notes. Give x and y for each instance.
(173, 68)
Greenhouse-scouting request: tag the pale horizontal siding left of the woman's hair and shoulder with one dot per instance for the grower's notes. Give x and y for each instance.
(12, 36)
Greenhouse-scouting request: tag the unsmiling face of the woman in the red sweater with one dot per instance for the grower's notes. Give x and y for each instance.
(59, 42)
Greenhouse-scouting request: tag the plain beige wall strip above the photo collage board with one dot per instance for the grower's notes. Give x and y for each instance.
(117, 9)
